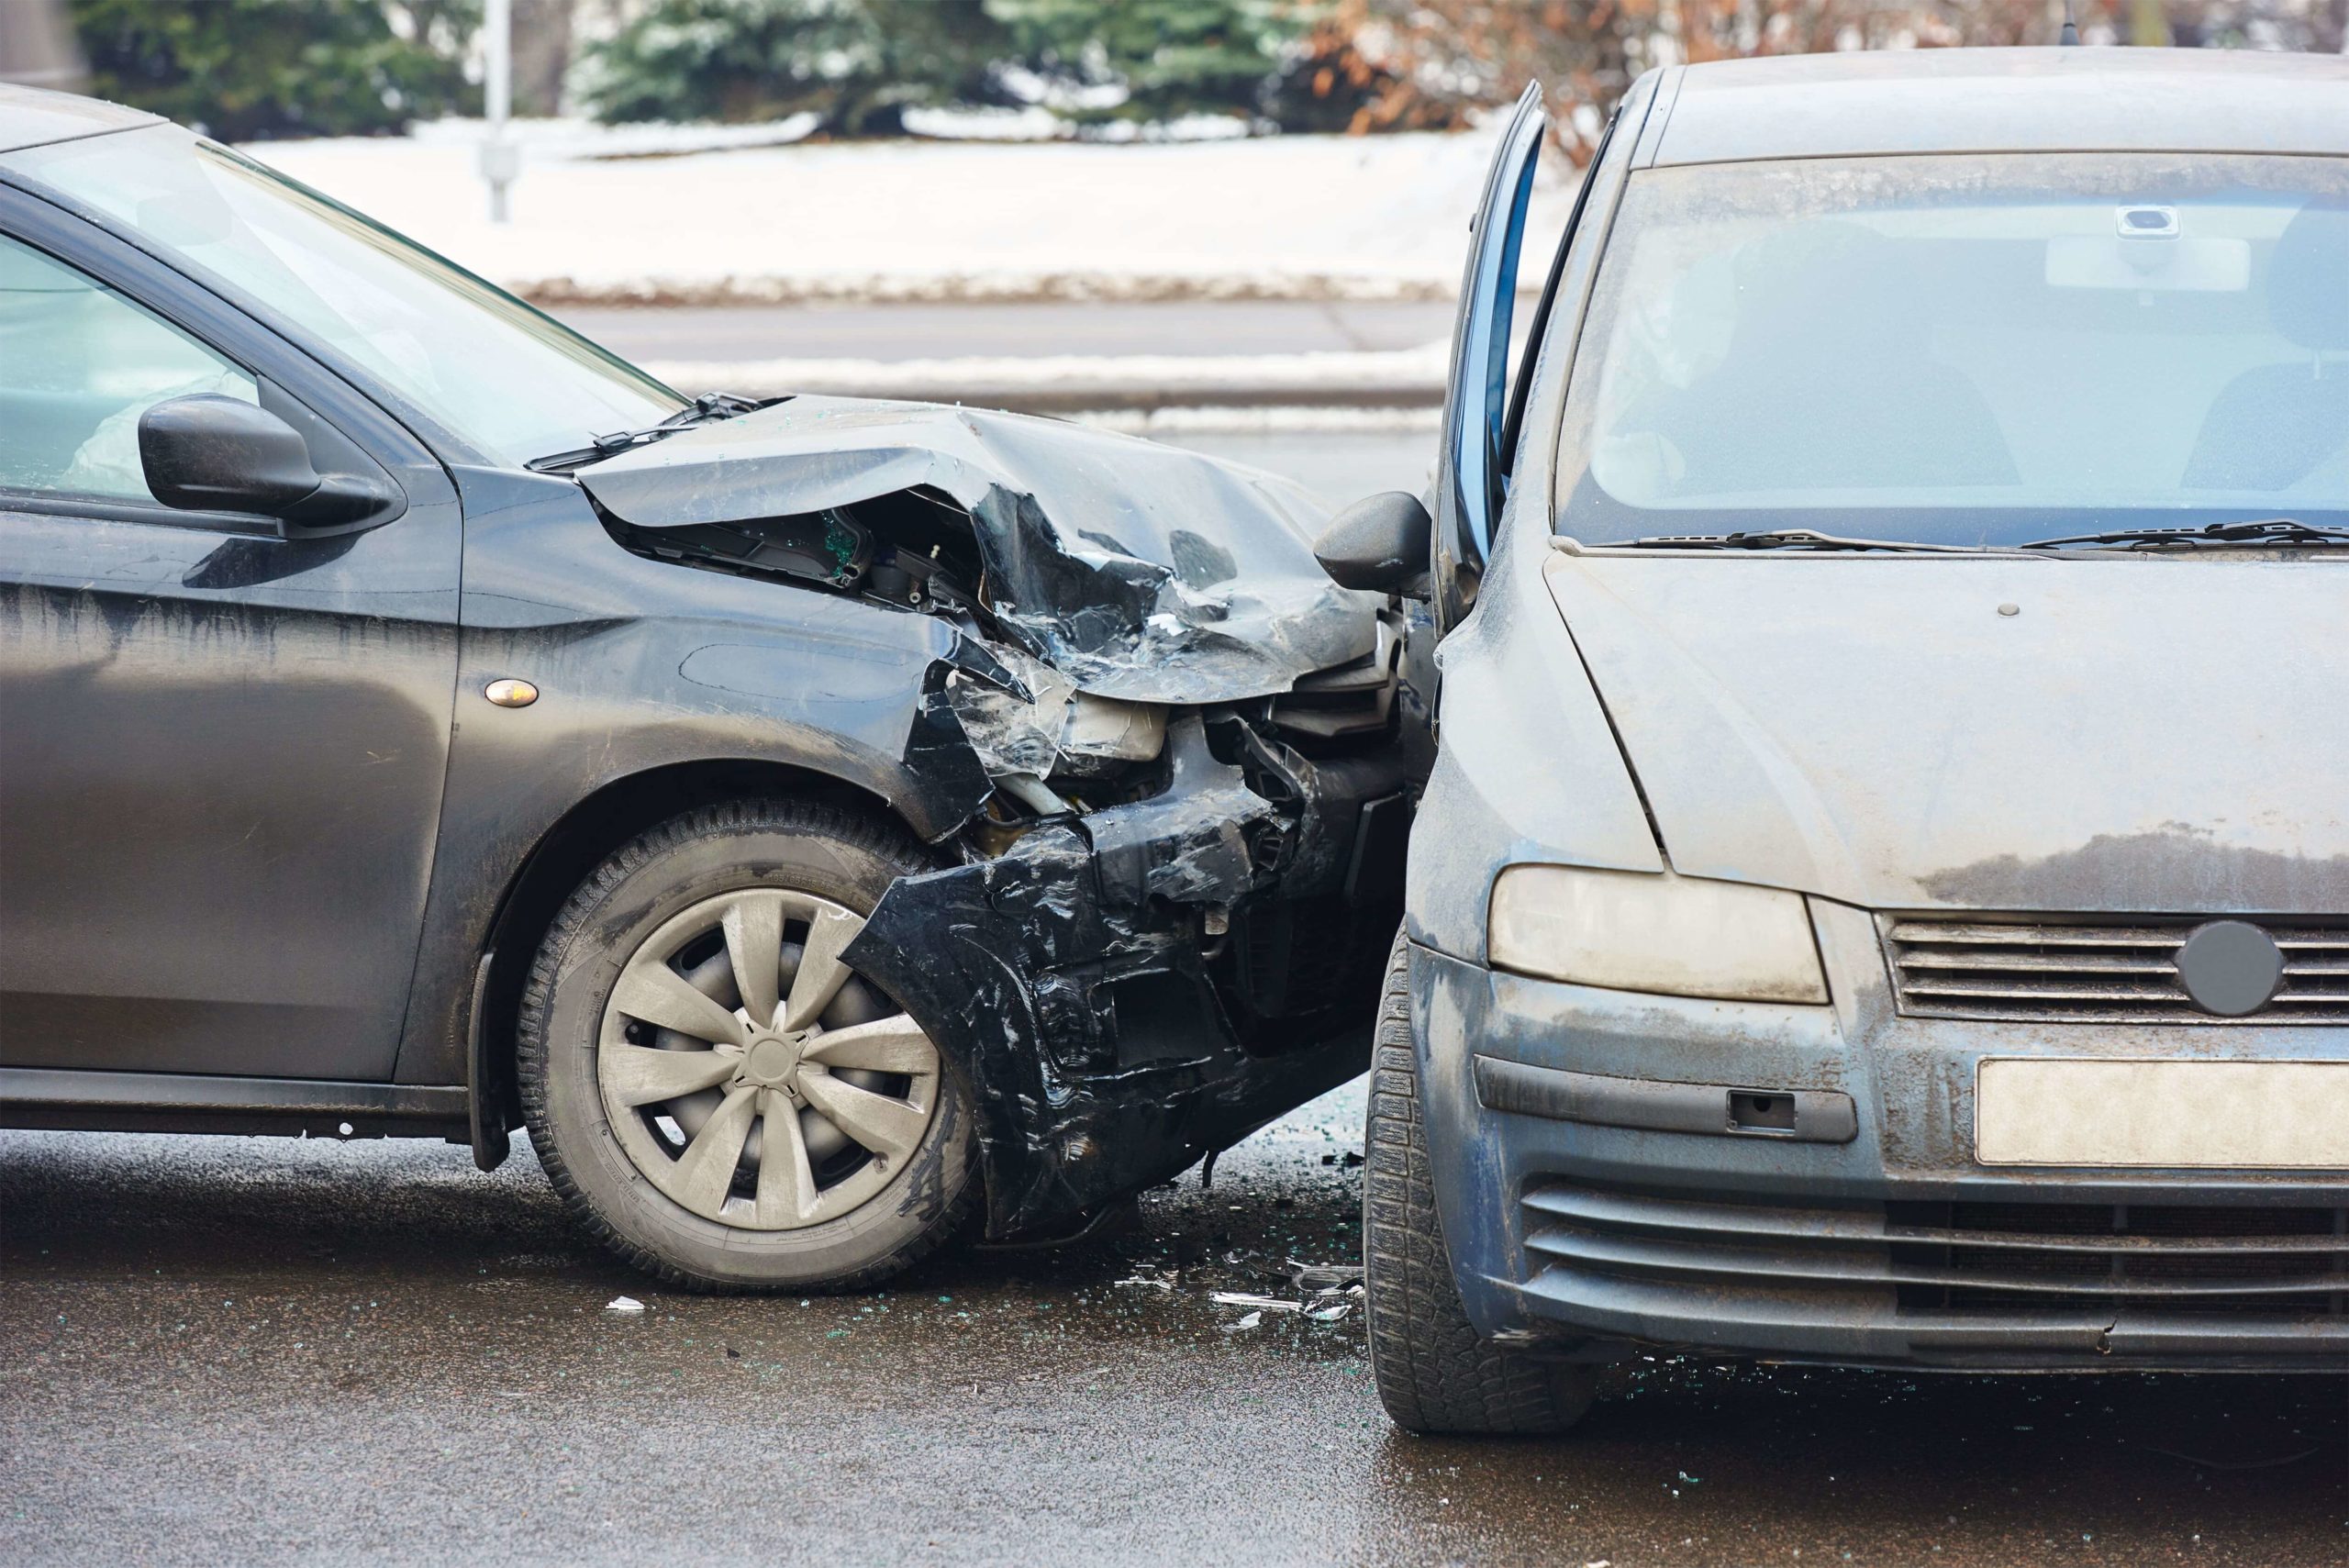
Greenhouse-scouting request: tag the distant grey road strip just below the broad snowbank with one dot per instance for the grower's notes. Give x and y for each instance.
(955, 332)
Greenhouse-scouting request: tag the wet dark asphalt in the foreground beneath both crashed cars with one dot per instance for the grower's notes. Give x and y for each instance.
(224, 1351)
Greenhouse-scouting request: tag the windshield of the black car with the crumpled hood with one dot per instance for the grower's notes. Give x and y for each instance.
(469, 356)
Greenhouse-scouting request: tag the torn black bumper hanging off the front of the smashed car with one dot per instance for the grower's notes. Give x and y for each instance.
(1108, 1043)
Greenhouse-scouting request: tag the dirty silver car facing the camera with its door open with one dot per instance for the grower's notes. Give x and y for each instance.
(1885, 886)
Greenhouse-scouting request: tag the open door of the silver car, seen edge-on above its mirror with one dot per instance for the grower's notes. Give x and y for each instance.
(1472, 475)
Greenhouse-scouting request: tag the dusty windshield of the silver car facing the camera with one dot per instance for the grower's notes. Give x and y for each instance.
(1967, 349)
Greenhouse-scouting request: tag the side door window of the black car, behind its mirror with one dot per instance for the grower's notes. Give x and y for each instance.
(79, 365)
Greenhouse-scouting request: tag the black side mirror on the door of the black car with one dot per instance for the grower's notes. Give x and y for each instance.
(217, 454)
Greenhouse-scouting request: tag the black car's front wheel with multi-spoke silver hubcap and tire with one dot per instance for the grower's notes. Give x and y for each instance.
(614, 959)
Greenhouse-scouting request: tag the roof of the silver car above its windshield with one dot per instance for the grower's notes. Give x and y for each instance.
(2000, 102)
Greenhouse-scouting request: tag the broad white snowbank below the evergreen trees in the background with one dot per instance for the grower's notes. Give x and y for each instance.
(708, 215)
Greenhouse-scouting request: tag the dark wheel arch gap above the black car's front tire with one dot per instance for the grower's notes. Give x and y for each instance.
(574, 846)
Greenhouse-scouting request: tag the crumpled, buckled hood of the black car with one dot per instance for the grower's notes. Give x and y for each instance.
(1136, 569)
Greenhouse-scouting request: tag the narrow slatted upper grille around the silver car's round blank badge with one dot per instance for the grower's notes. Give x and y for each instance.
(2099, 971)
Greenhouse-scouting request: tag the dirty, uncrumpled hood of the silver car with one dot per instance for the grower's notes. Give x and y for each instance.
(2155, 736)
